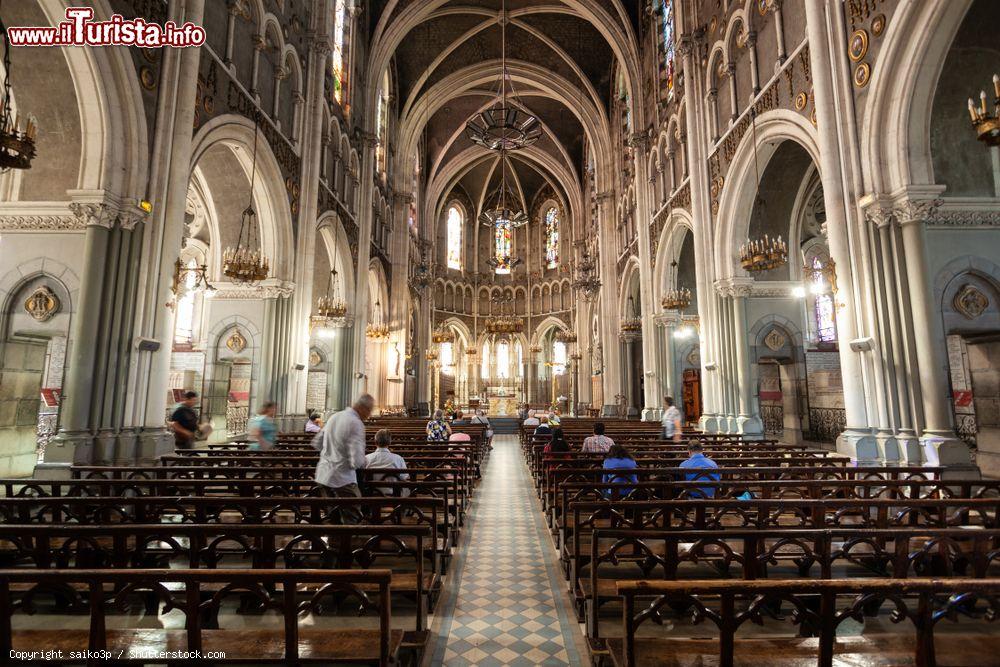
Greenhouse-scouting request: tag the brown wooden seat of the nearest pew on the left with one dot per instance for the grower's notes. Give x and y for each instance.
(321, 646)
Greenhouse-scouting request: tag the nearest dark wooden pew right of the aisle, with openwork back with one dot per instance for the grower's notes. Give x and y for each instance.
(727, 605)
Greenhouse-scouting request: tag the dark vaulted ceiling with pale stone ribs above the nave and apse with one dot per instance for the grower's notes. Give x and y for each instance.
(552, 38)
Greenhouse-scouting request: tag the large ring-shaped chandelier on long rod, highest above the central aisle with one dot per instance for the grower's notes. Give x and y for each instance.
(503, 126)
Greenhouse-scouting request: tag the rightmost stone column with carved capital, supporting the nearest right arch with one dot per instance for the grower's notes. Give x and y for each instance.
(940, 444)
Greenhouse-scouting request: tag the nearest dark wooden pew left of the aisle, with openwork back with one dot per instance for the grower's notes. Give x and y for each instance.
(286, 643)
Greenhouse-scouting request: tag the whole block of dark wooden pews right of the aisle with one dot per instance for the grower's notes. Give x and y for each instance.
(791, 557)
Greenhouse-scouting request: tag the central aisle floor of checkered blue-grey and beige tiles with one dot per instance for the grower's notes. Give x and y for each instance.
(506, 603)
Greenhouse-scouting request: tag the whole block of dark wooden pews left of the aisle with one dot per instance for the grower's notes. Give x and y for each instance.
(234, 555)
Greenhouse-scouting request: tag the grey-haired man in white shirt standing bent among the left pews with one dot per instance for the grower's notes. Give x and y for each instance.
(342, 448)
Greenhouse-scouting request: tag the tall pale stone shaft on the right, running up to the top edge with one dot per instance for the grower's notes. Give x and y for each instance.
(857, 436)
